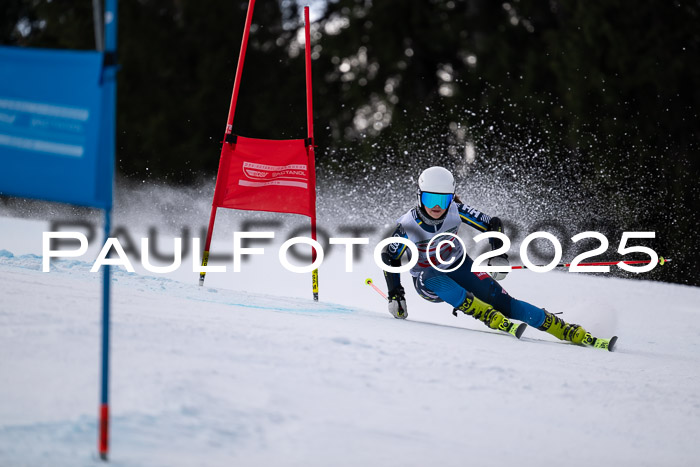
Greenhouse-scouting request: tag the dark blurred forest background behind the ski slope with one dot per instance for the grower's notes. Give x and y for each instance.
(604, 93)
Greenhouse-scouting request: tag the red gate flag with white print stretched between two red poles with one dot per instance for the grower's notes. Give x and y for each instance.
(265, 175)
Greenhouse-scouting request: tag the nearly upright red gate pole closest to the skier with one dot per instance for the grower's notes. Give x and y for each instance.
(310, 147)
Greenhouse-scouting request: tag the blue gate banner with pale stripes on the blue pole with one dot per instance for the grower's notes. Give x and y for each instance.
(56, 126)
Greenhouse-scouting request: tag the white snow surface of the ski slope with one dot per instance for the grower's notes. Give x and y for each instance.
(249, 371)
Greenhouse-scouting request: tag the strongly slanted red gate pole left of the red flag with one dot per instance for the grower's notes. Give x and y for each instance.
(224, 159)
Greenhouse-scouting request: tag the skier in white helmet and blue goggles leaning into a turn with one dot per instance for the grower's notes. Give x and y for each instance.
(475, 294)
